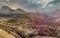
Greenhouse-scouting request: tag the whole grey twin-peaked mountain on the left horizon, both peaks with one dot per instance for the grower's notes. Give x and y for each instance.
(7, 10)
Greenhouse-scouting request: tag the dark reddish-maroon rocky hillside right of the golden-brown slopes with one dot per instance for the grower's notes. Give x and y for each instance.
(44, 25)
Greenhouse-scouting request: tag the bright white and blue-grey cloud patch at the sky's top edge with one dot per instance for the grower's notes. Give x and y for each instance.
(40, 3)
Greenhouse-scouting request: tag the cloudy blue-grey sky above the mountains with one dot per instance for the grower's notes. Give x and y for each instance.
(33, 5)
